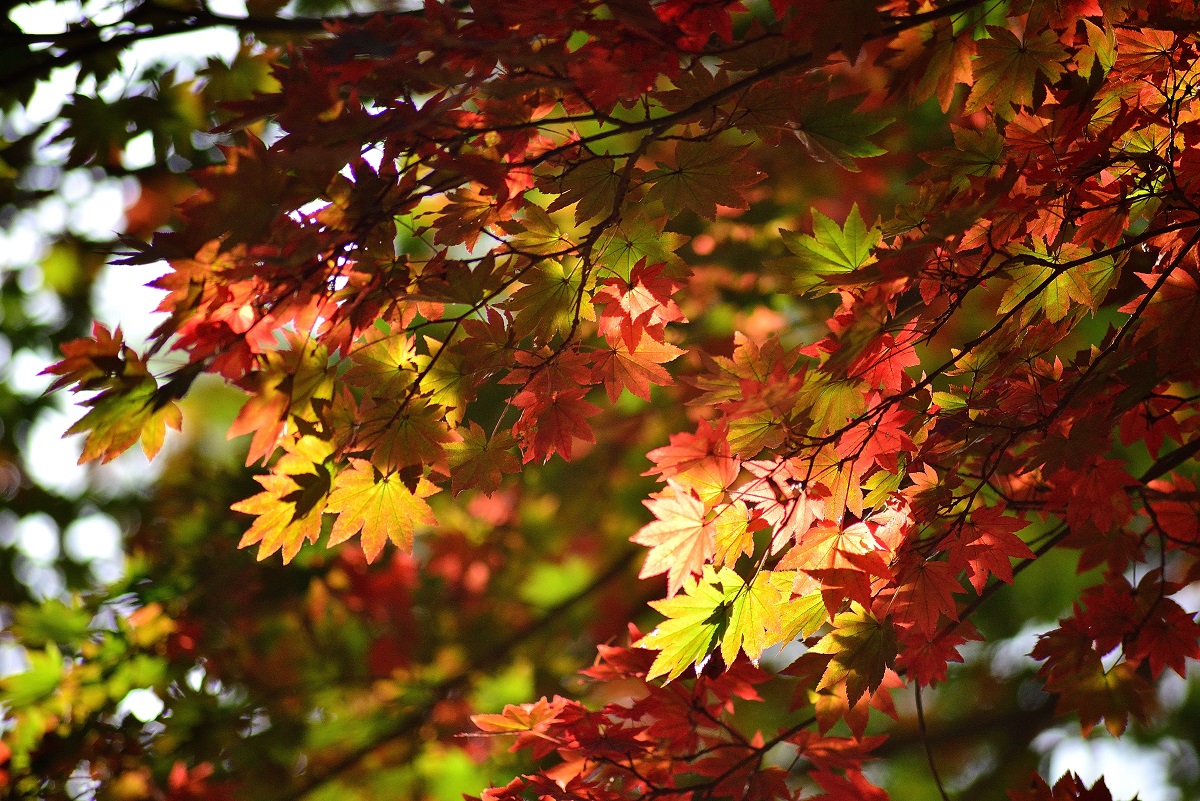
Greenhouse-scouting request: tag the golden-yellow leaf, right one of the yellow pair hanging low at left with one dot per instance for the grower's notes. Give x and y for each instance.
(381, 507)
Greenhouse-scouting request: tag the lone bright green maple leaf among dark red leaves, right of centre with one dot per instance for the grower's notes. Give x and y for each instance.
(831, 251)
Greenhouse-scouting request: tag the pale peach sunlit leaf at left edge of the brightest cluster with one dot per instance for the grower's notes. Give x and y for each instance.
(681, 540)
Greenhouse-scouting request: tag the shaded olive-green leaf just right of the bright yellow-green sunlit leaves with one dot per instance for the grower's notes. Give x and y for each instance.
(862, 649)
